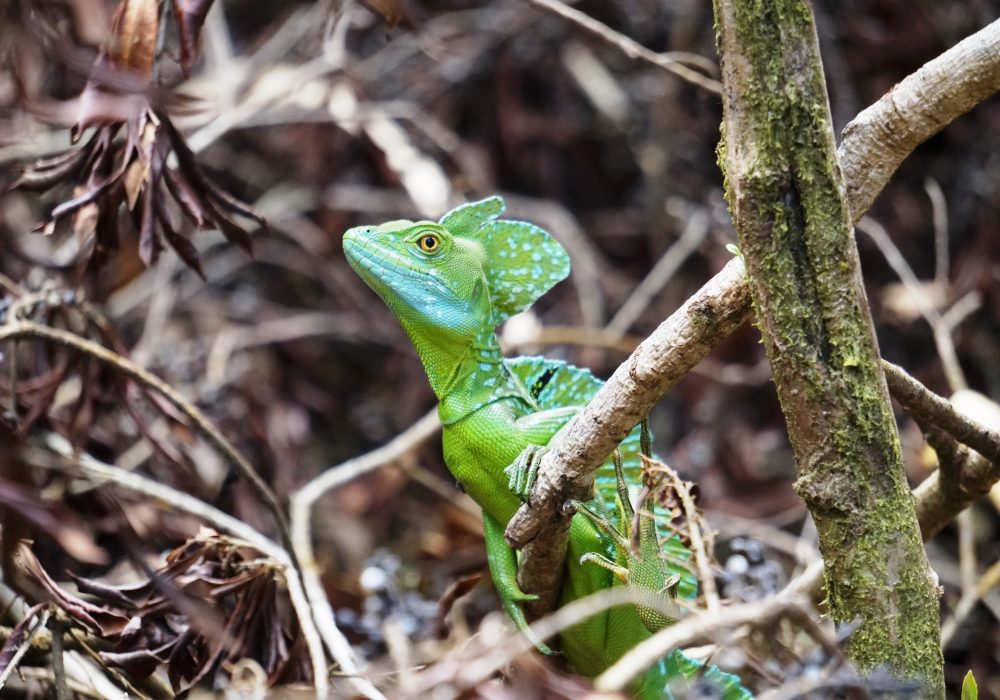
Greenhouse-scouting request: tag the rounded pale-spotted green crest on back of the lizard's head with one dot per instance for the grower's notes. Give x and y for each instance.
(522, 261)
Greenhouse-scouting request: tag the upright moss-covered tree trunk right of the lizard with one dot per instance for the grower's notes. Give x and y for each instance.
(787, 196)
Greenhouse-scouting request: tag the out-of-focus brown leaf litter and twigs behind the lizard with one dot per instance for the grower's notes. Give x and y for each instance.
(322, 116)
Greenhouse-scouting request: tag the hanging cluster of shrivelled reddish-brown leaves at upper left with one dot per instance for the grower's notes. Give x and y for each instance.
(121, 177)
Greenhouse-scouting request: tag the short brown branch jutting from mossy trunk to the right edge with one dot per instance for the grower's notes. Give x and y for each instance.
(919, 400)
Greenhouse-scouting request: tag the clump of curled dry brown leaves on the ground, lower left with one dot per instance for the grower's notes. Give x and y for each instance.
(211, 604)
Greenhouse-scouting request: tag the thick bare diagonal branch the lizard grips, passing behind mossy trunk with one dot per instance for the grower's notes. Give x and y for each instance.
(867, 139)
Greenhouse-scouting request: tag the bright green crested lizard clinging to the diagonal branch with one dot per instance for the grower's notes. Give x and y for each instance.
(450, 284)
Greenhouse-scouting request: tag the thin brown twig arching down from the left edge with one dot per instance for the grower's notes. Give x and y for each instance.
(30, 329)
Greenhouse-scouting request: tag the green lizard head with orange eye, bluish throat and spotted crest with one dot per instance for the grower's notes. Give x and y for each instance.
(468, 271)
